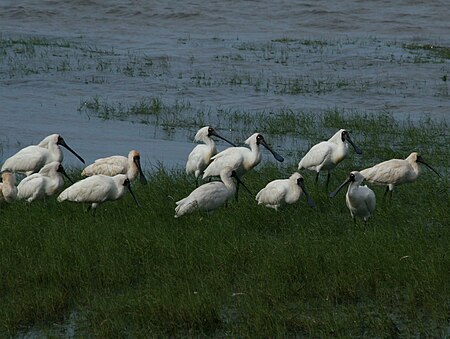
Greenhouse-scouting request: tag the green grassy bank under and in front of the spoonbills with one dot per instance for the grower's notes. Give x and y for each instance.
(244, 270)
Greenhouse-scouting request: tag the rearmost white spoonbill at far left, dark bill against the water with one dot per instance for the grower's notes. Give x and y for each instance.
(32, 158)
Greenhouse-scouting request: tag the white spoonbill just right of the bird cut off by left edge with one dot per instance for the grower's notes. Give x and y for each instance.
(48, 181)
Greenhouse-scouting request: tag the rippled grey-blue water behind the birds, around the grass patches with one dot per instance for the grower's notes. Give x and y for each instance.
(362, 46)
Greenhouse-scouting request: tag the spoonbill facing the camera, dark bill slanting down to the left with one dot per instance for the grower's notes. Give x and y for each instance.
(360, 200)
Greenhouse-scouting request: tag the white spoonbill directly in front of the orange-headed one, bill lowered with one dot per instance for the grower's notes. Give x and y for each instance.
(97, 189)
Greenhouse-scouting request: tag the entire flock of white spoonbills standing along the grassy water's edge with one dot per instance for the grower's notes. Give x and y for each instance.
(109, 178)
